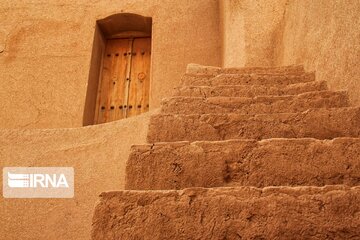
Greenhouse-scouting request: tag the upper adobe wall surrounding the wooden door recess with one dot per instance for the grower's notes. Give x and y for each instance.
(46, 46)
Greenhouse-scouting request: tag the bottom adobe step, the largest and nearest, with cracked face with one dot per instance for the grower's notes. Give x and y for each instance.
(330, 212)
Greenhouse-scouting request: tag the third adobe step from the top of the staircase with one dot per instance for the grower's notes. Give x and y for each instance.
(249, 90)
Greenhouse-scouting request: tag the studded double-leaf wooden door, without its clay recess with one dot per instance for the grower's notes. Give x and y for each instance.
(125, 79)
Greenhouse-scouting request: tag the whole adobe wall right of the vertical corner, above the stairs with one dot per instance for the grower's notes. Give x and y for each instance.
(322, 35)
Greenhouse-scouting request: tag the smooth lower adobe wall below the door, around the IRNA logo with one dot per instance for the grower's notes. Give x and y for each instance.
(98, 155)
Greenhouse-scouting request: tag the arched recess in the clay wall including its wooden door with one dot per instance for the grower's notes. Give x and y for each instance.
(119, 78)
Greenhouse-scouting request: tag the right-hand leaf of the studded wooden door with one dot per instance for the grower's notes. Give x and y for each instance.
(140, 77)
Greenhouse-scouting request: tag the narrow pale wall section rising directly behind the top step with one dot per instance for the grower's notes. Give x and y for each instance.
(250, 31)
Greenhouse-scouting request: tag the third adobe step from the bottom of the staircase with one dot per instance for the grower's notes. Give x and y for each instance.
(318, 123)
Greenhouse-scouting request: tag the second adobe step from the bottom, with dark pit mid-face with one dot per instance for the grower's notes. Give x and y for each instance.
(272, 162)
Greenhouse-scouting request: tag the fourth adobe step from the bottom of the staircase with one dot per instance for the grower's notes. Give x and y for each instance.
(257, 105)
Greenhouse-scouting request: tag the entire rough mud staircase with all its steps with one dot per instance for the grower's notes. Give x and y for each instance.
(242, 153)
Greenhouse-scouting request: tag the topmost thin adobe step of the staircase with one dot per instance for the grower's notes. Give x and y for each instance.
(196, 69)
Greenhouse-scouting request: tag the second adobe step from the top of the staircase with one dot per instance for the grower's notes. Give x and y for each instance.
(246, 79)
